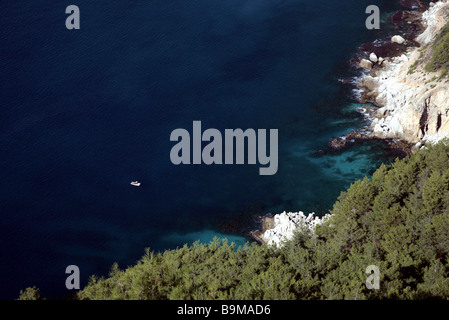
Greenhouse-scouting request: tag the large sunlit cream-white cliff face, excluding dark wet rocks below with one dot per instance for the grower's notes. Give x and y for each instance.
(414, 106)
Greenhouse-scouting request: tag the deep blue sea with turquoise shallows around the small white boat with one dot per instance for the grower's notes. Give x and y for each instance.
(85, 112)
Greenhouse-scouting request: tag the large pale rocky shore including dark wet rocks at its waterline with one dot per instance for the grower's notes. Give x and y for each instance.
(402, 118)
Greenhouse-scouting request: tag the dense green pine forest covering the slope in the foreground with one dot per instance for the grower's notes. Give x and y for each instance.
(397, 220)
